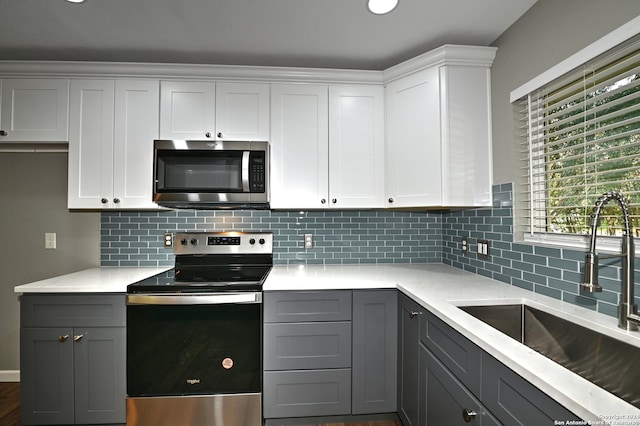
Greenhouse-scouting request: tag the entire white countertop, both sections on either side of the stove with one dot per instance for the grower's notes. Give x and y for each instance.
(440, 289)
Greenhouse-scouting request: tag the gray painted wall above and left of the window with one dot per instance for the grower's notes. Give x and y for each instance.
(548, 33)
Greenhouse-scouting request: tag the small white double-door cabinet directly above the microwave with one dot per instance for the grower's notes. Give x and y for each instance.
(193, 110)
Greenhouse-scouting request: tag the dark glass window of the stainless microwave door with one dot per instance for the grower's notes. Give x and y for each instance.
(199, 171)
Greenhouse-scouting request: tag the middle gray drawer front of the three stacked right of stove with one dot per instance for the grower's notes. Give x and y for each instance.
(303, 346)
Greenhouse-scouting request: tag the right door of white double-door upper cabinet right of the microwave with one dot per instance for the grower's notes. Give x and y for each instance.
(356, 146)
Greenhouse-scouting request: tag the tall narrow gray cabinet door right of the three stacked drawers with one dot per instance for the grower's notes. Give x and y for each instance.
(375, 351)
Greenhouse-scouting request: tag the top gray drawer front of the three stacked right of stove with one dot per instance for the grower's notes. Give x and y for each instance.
(307, 306)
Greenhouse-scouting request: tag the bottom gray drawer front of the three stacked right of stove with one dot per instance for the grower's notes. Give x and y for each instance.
(307, 393)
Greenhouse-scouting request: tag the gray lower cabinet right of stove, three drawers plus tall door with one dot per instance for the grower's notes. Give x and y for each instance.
(329, 353)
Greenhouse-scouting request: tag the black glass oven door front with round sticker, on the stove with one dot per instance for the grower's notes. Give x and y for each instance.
(193, 349)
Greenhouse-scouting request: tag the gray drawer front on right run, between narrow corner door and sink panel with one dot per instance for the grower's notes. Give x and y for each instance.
(454, 350)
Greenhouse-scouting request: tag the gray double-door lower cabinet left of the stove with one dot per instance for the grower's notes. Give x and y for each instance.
(72, 359)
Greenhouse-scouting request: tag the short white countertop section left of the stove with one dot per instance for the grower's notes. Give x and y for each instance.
(94, 280)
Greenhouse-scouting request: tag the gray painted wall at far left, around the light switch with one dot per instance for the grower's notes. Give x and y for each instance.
(33, 190)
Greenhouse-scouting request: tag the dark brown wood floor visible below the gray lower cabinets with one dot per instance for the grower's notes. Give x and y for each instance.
(10, 414)
